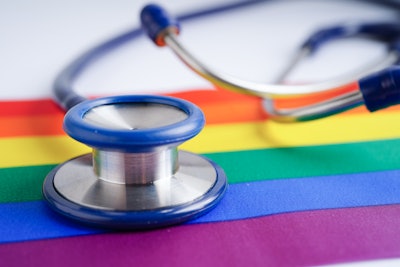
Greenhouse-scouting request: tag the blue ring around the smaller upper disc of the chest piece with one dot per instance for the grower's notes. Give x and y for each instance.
(138, 140)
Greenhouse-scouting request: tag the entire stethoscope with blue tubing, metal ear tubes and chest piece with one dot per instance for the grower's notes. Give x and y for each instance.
(136, 177)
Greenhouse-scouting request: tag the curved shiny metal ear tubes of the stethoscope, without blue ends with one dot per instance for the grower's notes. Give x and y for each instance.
(271, 92)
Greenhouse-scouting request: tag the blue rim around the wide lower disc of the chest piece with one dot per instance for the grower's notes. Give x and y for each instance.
(146, 219)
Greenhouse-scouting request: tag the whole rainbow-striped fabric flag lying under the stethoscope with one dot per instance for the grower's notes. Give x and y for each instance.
(311, 193)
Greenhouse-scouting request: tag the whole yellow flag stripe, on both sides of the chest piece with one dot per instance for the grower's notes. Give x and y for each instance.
(222, 137)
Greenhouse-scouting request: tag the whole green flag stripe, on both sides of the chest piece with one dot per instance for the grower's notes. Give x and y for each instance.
(25, 183)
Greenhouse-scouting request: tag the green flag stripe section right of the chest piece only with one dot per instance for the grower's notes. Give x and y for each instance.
(278, 163)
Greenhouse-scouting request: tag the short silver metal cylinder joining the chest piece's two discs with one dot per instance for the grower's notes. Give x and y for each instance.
(135, 168)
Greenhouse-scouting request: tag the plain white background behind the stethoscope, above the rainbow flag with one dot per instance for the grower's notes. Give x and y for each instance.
(38, 38)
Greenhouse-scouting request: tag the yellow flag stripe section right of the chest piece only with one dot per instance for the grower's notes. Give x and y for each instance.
(332, 130)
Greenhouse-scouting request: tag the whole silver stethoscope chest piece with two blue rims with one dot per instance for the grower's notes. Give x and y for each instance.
(135, 178)
